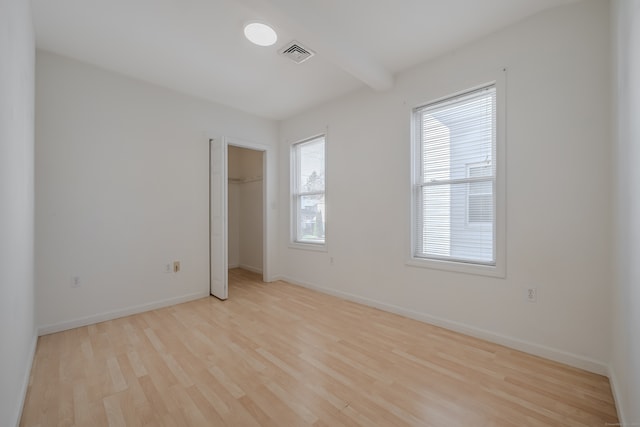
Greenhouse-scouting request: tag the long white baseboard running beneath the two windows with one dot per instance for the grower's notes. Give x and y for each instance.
(556, 355)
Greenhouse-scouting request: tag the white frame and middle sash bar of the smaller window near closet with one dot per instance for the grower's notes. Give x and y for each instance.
(295, 196)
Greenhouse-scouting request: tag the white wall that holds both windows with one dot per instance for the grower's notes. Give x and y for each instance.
(558, 191)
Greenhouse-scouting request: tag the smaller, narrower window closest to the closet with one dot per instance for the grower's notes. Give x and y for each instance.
(308, 192)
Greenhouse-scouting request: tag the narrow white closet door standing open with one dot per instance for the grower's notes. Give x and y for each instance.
(218, 217)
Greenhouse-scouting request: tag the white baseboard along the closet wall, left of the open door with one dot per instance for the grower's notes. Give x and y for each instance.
(110, 315)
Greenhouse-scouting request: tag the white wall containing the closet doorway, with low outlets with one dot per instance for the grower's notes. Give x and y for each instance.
(122, 181)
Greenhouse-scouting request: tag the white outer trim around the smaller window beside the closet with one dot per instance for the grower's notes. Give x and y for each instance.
(293, 211)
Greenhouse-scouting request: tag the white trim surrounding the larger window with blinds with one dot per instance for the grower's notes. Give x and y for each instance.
(499, 269)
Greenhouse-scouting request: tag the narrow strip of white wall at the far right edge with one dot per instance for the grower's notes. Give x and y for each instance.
(626, 292)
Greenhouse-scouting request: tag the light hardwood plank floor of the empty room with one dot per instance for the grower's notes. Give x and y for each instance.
(280, 355)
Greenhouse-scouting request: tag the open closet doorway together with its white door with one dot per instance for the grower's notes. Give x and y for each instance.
(238, 218)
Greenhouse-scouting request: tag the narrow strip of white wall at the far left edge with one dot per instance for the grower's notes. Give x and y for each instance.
(17, 330)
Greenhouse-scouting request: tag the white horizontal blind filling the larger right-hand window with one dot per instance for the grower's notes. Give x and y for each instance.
(455, 183)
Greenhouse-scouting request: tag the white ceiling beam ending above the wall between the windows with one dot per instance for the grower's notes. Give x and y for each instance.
(298, 18)
